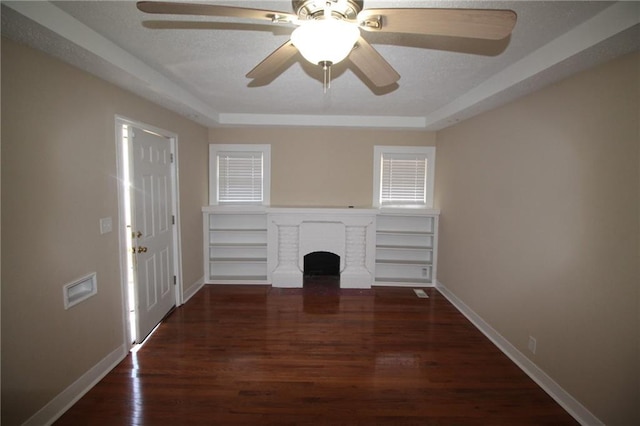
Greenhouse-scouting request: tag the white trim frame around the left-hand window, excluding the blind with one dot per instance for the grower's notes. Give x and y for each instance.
(214, 149)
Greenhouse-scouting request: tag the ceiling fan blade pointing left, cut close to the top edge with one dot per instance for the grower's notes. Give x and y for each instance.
(173, 8)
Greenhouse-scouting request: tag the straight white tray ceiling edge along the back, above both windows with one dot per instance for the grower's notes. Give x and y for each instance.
(322, 120)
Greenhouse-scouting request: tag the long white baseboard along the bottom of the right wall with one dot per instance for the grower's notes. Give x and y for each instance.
(562, 397)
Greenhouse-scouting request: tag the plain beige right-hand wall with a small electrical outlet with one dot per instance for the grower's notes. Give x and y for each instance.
(540, 234)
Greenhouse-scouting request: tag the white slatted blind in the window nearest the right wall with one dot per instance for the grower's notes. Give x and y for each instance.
(403, 179)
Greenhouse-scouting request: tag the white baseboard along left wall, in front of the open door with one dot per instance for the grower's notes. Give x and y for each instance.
(65, 399)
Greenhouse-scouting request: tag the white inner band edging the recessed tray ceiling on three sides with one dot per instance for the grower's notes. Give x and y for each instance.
(609, 22)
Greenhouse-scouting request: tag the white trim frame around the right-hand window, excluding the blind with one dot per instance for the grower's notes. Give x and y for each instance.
(380, 150)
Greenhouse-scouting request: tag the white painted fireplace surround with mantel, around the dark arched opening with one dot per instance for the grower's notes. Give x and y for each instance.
(294, 233)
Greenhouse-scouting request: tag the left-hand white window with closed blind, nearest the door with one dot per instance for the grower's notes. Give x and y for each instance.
(239, 174)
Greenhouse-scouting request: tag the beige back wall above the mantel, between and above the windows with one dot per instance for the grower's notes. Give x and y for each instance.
(321, 167)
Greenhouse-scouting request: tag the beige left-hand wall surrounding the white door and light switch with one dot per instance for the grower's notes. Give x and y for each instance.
(58, 179)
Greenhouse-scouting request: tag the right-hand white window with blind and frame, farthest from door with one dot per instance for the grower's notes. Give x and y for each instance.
(403, 176)
